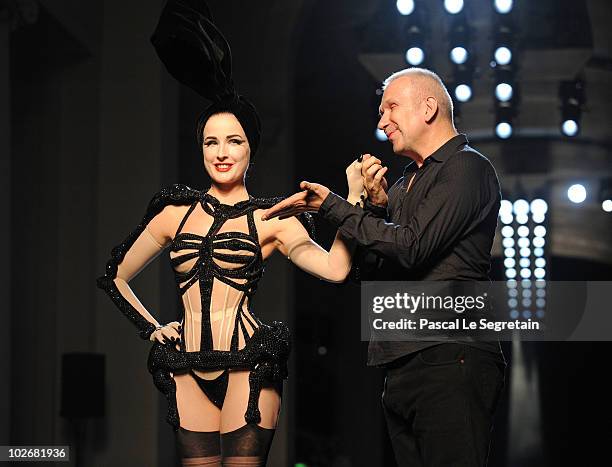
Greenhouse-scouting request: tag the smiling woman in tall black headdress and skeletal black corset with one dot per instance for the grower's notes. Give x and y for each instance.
(220, 367)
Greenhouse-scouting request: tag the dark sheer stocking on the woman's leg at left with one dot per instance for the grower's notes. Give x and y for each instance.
(198, 448)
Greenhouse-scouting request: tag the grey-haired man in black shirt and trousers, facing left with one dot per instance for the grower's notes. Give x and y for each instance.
(436, 223)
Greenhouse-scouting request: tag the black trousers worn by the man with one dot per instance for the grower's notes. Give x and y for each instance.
(439, 405)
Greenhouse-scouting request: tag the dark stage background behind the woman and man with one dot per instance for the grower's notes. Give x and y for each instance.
(91, 126)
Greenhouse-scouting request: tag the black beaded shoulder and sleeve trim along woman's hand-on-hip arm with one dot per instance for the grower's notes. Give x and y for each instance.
(173, 195)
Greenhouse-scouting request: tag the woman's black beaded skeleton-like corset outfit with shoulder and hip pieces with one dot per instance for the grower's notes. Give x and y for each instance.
(266, 349)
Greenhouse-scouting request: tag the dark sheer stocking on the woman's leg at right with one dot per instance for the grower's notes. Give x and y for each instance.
(246, 446)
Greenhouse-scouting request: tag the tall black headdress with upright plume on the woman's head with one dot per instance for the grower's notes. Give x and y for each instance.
(195, 52)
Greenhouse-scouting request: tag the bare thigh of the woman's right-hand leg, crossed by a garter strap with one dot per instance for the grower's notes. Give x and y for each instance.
(237, 399)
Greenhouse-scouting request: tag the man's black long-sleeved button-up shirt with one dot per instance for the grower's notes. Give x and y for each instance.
(442, 228)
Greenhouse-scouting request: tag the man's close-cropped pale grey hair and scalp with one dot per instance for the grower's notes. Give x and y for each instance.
(423, 83)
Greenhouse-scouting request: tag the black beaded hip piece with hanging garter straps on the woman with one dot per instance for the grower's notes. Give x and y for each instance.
(265, 355)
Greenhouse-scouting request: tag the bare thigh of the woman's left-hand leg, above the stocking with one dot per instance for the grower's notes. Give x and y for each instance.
(196, 411)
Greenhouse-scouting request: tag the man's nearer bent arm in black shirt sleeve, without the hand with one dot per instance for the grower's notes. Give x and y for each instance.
(458, 200)
